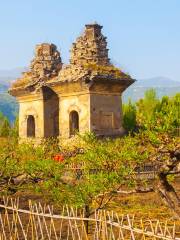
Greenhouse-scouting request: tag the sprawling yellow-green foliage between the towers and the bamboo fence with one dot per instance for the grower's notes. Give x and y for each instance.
(108, 165)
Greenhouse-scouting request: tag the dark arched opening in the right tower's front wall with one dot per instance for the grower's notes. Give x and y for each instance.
(73, 123)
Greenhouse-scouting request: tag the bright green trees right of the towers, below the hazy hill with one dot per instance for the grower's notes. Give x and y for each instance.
(151, 113)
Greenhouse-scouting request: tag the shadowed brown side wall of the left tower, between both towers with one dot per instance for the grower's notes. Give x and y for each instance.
(51, 112)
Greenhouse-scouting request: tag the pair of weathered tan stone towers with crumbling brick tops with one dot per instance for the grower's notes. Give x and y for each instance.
(57, 100)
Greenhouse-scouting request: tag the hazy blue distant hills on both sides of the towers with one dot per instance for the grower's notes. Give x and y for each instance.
(9, 106)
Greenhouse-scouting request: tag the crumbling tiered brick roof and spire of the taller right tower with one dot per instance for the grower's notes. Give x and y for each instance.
(89, 58)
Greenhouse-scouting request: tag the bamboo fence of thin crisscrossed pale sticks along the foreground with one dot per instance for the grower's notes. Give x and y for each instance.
(41, 222)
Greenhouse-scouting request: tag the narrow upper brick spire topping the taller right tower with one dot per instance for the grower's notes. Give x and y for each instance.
(90, 48)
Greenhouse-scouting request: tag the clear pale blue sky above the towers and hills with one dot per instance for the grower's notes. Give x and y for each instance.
(143, 35)
